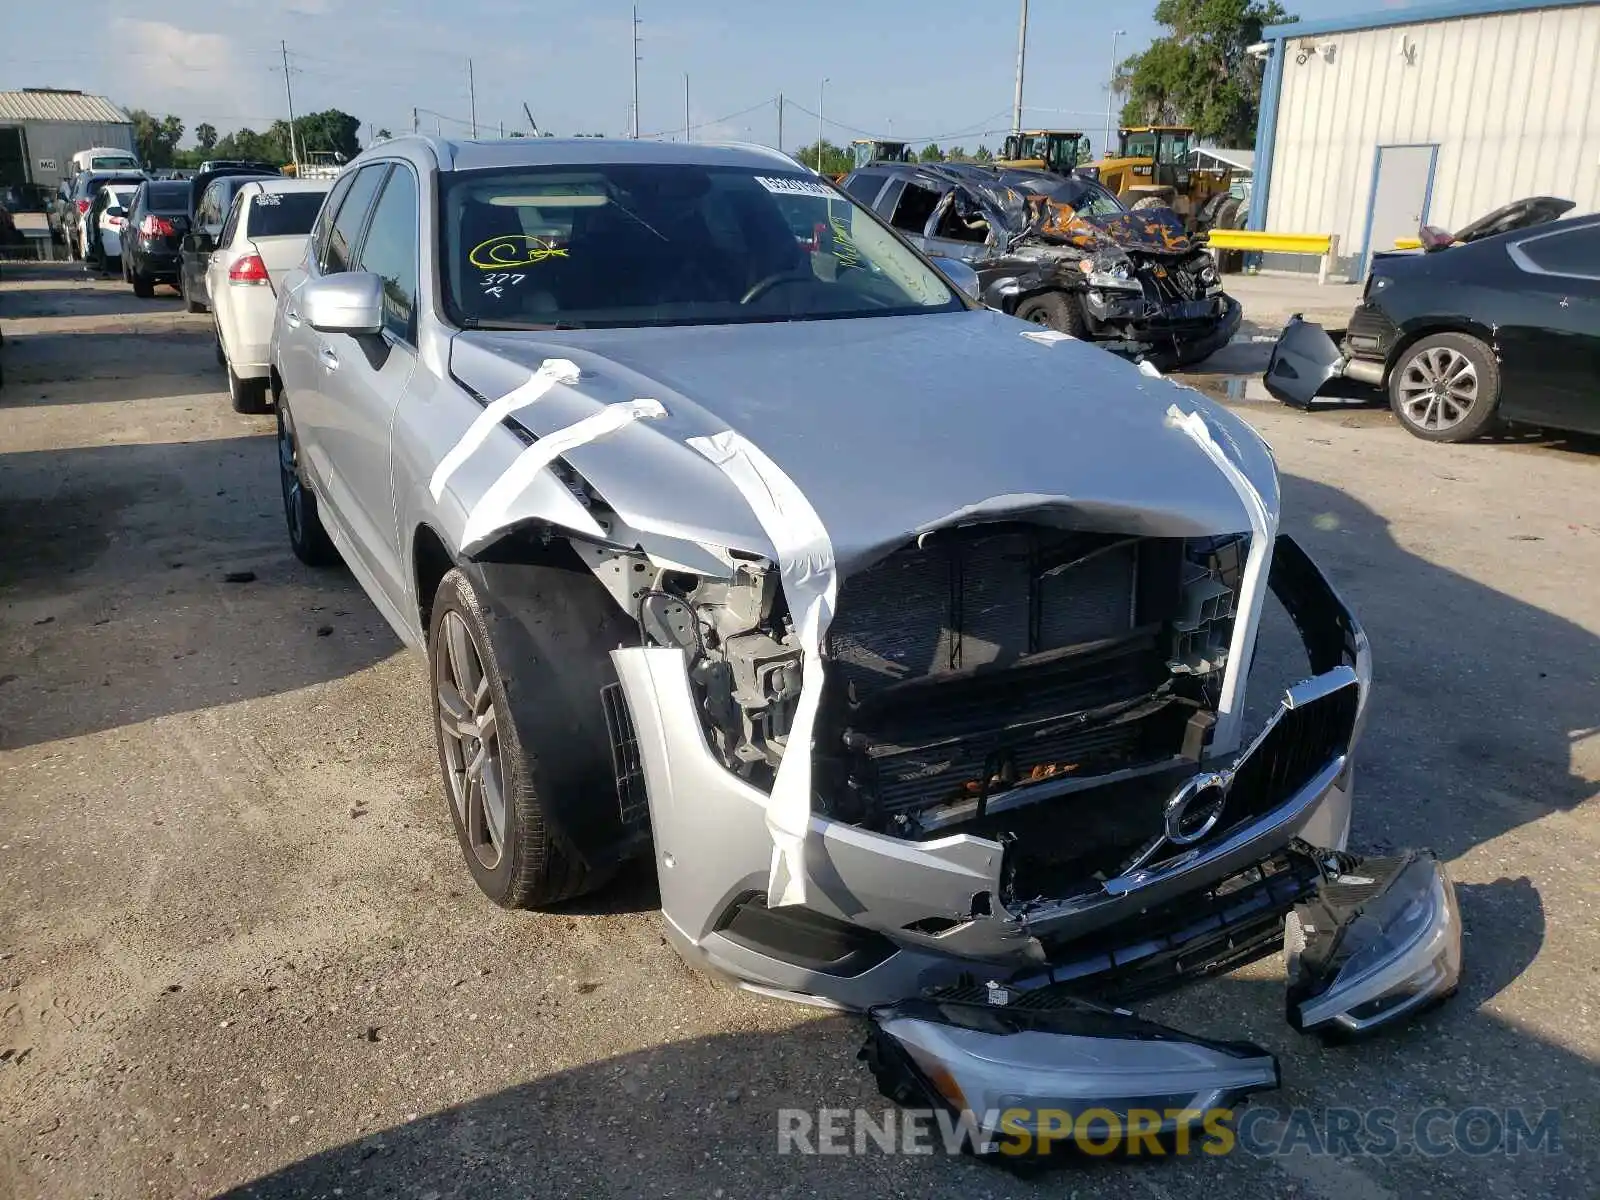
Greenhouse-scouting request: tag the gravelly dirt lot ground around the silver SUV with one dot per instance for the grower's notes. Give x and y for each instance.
(239, 950)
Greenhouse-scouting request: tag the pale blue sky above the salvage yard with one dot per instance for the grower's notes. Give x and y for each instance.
(913, 70)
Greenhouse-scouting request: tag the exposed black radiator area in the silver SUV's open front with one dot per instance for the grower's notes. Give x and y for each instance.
(918, 695)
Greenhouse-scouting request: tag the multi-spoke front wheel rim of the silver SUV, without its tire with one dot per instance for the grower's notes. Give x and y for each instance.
(470, 732)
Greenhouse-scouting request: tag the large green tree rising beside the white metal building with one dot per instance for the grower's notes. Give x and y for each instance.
(1201, 74)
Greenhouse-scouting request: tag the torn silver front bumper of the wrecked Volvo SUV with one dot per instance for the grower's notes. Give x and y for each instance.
(892, 916)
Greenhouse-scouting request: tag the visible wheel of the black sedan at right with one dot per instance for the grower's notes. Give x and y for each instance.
(1446, 388)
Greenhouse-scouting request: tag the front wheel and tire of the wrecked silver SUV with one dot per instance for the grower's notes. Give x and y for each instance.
(521, 729)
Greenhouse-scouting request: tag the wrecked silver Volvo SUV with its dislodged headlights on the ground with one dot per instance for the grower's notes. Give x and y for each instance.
(908, 641)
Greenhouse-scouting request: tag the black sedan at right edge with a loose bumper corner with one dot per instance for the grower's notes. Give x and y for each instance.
(1471, 332)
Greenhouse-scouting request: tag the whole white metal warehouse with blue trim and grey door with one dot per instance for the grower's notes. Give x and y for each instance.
(1372, 126)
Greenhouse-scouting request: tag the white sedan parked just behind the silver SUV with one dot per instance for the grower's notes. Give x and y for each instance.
(265, 236)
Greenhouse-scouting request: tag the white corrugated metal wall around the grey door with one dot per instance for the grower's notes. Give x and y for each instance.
(1513, 103)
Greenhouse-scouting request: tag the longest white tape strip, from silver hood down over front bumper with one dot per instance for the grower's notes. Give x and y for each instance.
(806, 566)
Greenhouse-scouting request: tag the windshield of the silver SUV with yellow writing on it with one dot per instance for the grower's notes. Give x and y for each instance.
(670, 244)
